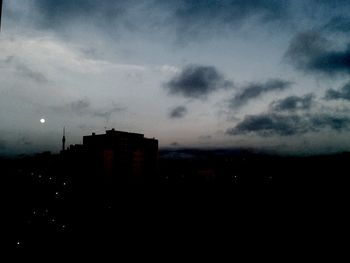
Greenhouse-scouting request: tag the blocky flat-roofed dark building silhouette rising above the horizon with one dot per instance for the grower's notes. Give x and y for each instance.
(116, 156)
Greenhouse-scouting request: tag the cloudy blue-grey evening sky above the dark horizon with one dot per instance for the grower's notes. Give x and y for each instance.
(265, 74)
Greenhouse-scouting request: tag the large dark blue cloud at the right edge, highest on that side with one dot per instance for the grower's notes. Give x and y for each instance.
(311, 52)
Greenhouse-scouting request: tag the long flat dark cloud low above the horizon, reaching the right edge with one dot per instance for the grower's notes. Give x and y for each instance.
(272, 124)
